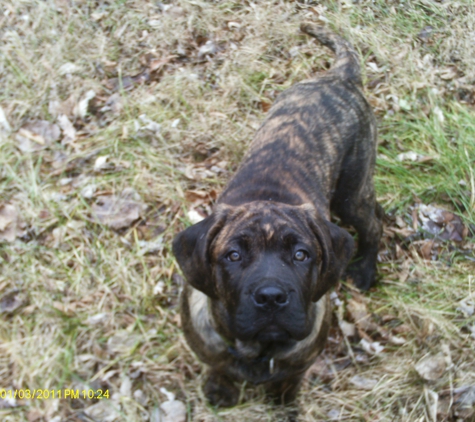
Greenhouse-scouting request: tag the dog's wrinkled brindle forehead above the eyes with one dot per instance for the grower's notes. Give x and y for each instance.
(263, 222)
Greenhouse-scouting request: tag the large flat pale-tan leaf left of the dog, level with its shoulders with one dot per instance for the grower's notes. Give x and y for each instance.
(118, 212)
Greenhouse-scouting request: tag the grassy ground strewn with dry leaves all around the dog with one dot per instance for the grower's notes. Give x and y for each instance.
(120, 122)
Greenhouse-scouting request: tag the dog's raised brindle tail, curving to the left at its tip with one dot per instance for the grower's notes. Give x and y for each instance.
(347, 63)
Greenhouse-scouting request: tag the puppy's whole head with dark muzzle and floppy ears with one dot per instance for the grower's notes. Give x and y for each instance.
(263, 264)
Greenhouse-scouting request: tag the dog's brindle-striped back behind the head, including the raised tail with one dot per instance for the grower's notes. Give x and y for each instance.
(315, 130)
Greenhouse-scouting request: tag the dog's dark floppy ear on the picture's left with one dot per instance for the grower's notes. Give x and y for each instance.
(191, 248)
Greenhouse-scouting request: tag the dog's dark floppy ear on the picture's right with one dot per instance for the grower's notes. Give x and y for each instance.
(337, 248)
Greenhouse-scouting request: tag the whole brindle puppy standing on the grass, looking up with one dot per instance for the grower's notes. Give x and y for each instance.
(255, 306)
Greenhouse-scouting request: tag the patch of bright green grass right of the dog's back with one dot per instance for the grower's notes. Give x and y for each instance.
(448, 173)
